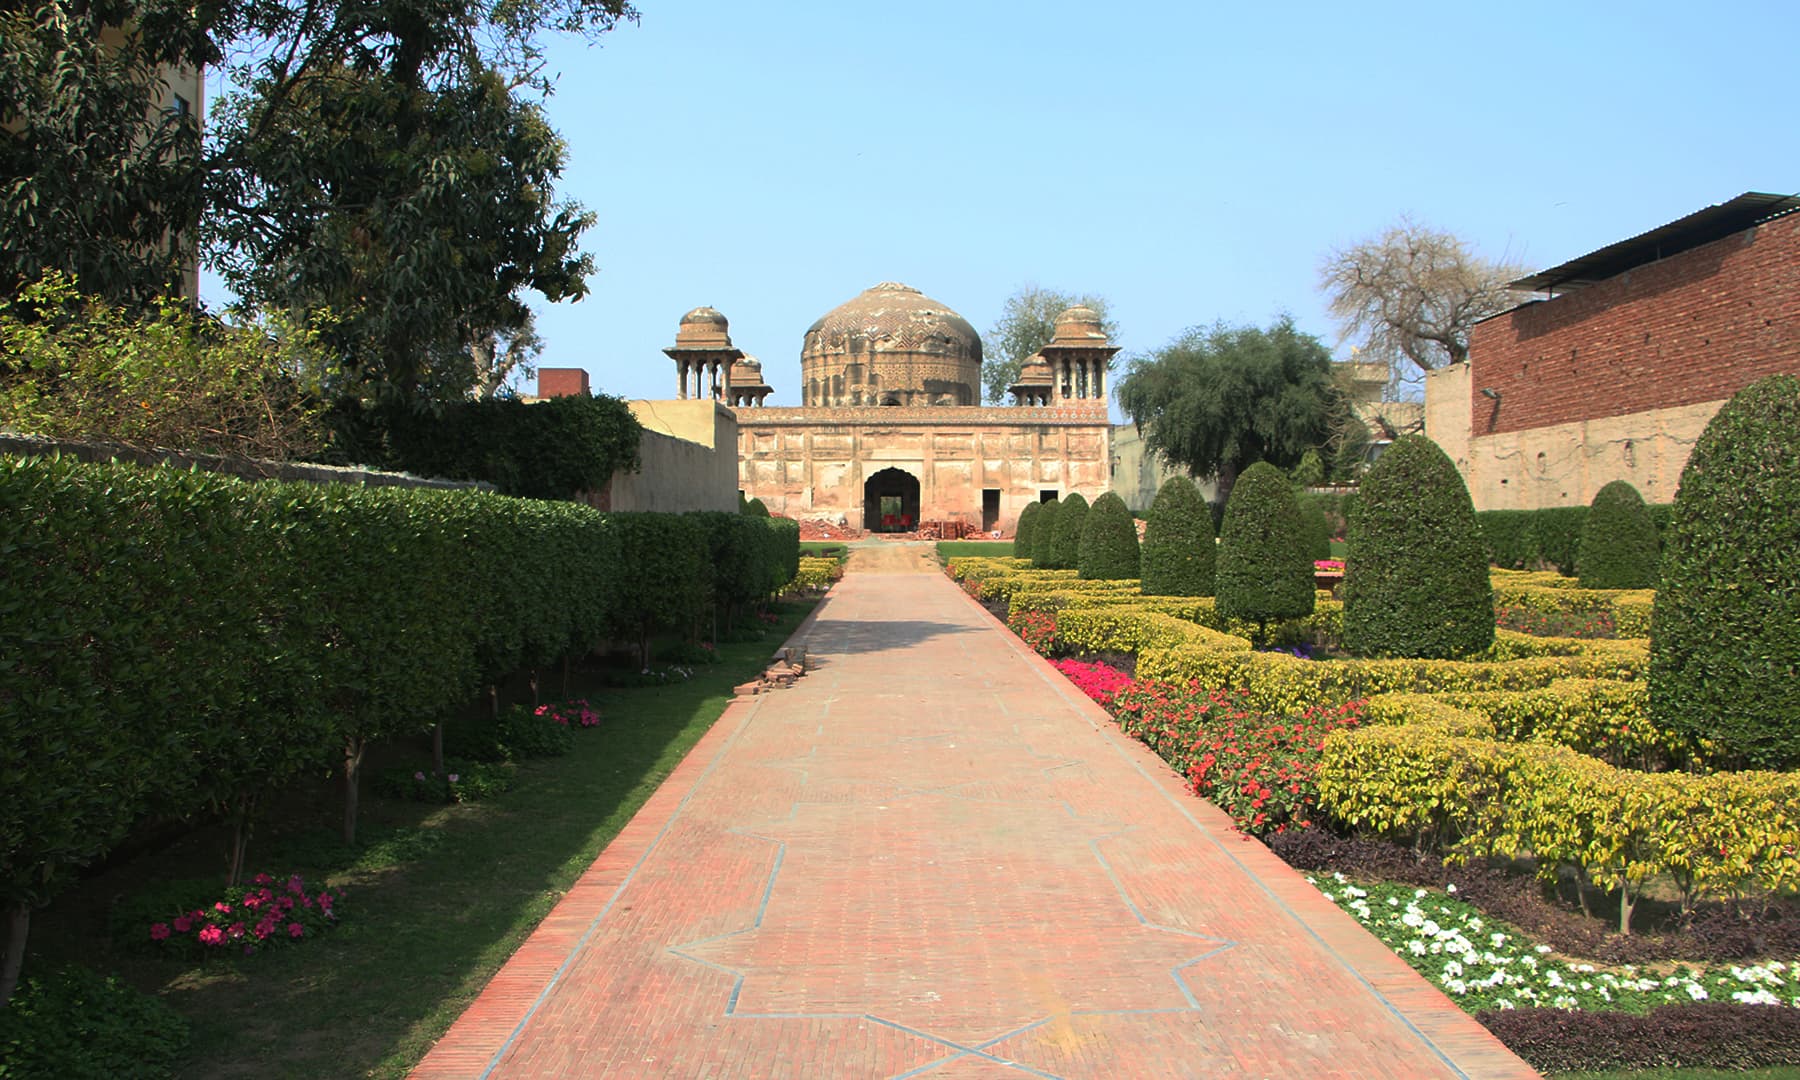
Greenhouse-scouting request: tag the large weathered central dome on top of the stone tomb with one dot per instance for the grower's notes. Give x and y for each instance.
(892, 345)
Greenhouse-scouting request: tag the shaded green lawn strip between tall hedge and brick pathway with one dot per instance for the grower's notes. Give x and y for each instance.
(436, 897)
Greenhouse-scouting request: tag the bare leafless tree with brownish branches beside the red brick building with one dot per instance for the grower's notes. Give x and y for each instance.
(1412, 294)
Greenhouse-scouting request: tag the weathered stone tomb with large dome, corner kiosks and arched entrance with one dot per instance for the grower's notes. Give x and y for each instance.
(890, 435)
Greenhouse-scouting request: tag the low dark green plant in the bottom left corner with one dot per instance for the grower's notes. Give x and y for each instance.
(76, 1025)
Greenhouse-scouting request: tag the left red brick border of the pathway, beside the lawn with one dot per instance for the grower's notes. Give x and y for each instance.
(485, 1032)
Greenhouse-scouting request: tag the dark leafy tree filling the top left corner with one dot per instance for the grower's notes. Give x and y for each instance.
(94, 183)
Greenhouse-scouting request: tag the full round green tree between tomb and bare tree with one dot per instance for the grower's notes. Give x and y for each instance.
(1223, 399)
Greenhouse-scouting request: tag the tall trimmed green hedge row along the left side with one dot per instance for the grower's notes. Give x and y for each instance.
(175, 642)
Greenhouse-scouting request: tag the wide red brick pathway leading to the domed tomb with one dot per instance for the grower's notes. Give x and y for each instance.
(933, 858)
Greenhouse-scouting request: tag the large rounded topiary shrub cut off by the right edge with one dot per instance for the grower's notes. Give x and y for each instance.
(1725, 636)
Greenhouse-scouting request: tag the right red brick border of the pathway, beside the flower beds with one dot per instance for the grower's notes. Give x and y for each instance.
(1462, 1043)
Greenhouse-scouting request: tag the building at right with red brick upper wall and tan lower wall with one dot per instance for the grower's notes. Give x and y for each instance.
(1615, 375)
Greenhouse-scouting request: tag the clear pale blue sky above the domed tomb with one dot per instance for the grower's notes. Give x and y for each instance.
(1187, 161)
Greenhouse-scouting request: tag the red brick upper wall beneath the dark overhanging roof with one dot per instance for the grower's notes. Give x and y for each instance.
(1696, 327)
